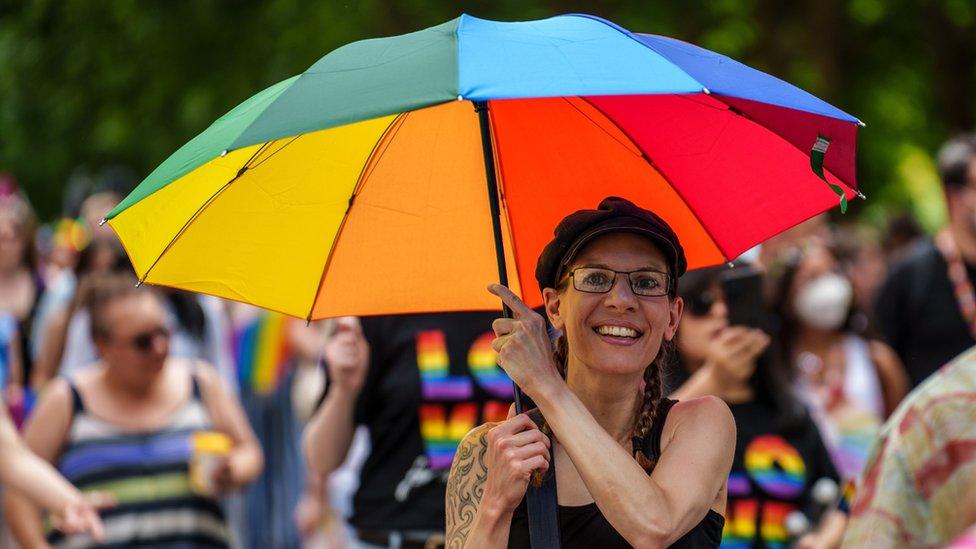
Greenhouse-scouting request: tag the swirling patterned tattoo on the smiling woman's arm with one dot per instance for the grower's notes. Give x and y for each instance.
(466, 486)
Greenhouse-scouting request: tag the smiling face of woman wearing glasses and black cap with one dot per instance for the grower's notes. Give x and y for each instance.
(587, 319)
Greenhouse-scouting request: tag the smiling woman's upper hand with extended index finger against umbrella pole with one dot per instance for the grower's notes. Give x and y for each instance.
(523, 346)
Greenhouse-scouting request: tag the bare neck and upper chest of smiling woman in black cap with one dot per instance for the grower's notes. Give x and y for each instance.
(613, 400)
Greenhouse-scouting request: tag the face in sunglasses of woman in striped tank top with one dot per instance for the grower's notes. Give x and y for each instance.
(138, 342)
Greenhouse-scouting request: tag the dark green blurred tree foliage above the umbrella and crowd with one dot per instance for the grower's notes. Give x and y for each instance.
(93, 84)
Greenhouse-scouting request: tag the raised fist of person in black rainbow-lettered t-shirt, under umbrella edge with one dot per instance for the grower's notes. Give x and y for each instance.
(347, 356)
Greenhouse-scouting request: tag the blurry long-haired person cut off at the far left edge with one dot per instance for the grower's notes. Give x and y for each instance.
(20, 285)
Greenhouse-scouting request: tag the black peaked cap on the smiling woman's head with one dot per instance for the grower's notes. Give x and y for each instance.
(613, 215)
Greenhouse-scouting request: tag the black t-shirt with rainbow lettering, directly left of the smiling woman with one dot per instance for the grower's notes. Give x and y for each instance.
(432, 378)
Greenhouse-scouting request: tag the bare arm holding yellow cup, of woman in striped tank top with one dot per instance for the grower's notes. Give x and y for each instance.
(246, 460)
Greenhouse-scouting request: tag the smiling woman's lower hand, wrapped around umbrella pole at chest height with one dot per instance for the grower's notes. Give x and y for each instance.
(516, 447)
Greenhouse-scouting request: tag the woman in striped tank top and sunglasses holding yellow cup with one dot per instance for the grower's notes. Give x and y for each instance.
(138, 425)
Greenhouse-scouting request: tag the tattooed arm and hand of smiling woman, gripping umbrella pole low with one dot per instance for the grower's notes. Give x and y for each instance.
(488, 479)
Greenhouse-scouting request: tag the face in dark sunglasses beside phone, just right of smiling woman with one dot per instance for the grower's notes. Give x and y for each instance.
(705, 317)
